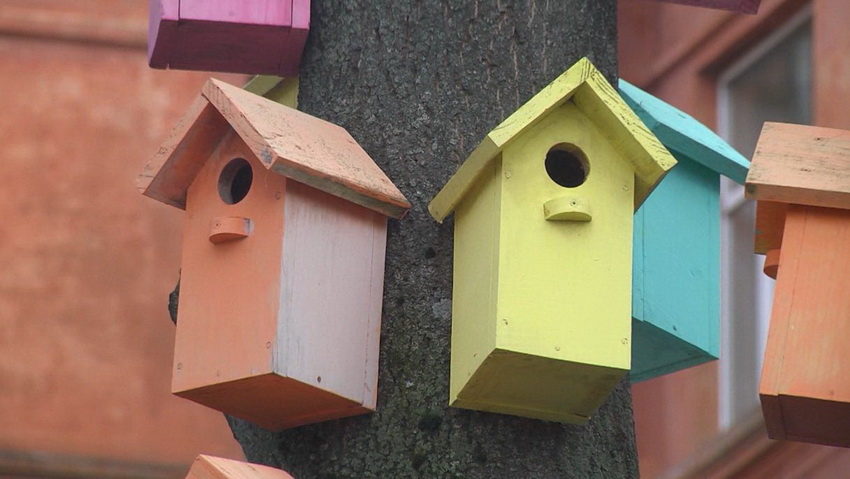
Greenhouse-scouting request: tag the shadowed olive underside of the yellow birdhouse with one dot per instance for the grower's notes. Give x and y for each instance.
(538, 387)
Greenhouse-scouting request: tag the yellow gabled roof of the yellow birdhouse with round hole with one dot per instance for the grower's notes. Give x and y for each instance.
(587, 88)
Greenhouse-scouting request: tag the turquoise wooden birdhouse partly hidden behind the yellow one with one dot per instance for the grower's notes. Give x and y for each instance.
(676, 269)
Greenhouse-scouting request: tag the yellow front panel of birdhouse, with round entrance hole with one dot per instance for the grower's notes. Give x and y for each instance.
(565, 285)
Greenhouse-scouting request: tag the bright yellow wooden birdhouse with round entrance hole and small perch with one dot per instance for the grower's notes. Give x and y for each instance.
(541, 323)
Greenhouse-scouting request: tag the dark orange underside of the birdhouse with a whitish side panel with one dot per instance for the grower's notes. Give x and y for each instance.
(274, 402)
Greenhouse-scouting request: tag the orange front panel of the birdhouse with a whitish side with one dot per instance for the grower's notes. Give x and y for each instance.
(229, 290)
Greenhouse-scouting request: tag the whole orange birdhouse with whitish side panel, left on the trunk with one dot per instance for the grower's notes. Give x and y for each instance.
(283, 259)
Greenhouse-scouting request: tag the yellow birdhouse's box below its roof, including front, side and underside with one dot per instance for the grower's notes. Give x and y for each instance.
(541, 323)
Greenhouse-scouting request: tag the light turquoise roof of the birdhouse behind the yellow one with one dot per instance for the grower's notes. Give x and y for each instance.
(685, 137)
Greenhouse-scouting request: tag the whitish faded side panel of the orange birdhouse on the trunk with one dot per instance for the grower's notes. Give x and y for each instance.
(332, 277)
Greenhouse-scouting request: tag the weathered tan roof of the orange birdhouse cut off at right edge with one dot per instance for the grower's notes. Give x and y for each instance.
(801, 164)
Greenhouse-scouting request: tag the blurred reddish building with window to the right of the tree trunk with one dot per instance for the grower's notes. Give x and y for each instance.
(733, 72)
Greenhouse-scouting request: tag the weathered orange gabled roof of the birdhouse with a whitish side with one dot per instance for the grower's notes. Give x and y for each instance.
(286, 141)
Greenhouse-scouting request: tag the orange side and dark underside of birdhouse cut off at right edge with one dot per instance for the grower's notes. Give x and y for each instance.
(804, 392)
